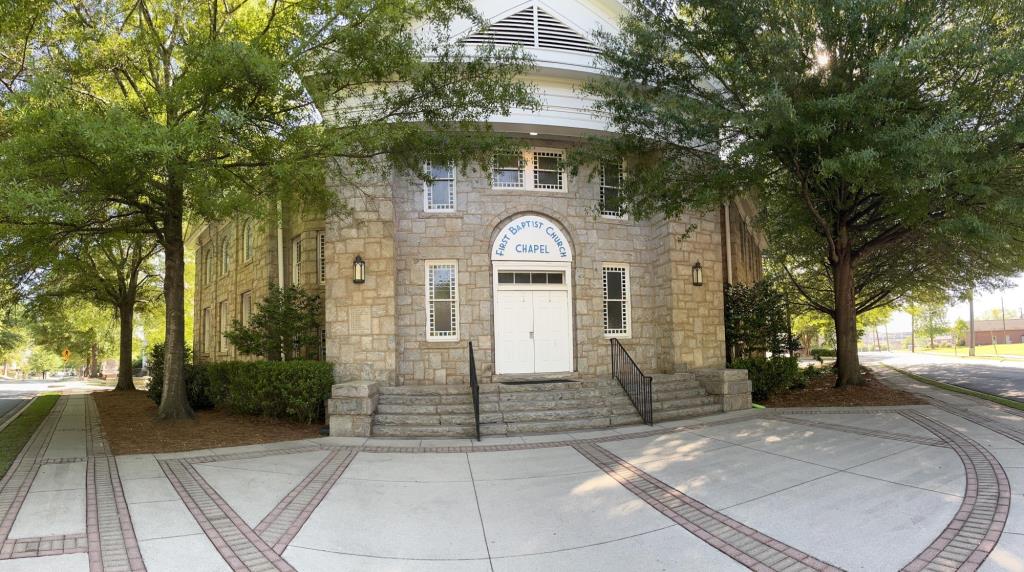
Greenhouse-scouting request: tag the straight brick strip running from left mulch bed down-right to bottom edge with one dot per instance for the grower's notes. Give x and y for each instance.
(237, 543)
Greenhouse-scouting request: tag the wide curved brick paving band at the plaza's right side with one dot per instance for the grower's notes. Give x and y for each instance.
(973, 534)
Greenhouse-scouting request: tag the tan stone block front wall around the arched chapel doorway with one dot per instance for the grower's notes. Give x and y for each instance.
(377, 331)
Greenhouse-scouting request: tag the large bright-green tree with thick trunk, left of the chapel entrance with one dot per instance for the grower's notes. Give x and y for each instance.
(140, 117)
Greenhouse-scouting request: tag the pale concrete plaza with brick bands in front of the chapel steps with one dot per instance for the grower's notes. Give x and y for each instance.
(927, 488)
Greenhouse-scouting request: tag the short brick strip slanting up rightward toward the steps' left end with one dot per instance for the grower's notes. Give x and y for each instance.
(285, 521)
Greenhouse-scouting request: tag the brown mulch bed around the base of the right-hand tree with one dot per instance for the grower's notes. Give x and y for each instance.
(822, 392)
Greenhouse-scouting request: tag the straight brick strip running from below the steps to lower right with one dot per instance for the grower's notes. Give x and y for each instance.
(746, 546)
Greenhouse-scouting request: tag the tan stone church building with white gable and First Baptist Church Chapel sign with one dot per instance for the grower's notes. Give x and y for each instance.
(535, 267)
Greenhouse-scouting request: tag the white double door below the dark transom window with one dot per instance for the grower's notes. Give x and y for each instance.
(533, 332)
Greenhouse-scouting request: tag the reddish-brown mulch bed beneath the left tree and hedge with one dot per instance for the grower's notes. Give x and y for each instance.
(131, 423)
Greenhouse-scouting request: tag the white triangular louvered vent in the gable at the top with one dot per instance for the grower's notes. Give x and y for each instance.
(533, 27)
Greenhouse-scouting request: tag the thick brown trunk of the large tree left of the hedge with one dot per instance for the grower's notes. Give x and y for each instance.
(175, 404)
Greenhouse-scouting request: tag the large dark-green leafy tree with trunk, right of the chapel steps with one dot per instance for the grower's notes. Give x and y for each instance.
(883, 142)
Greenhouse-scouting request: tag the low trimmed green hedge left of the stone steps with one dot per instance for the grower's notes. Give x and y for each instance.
(291, 390)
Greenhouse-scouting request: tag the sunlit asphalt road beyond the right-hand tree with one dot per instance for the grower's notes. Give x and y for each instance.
(1000, 378)
